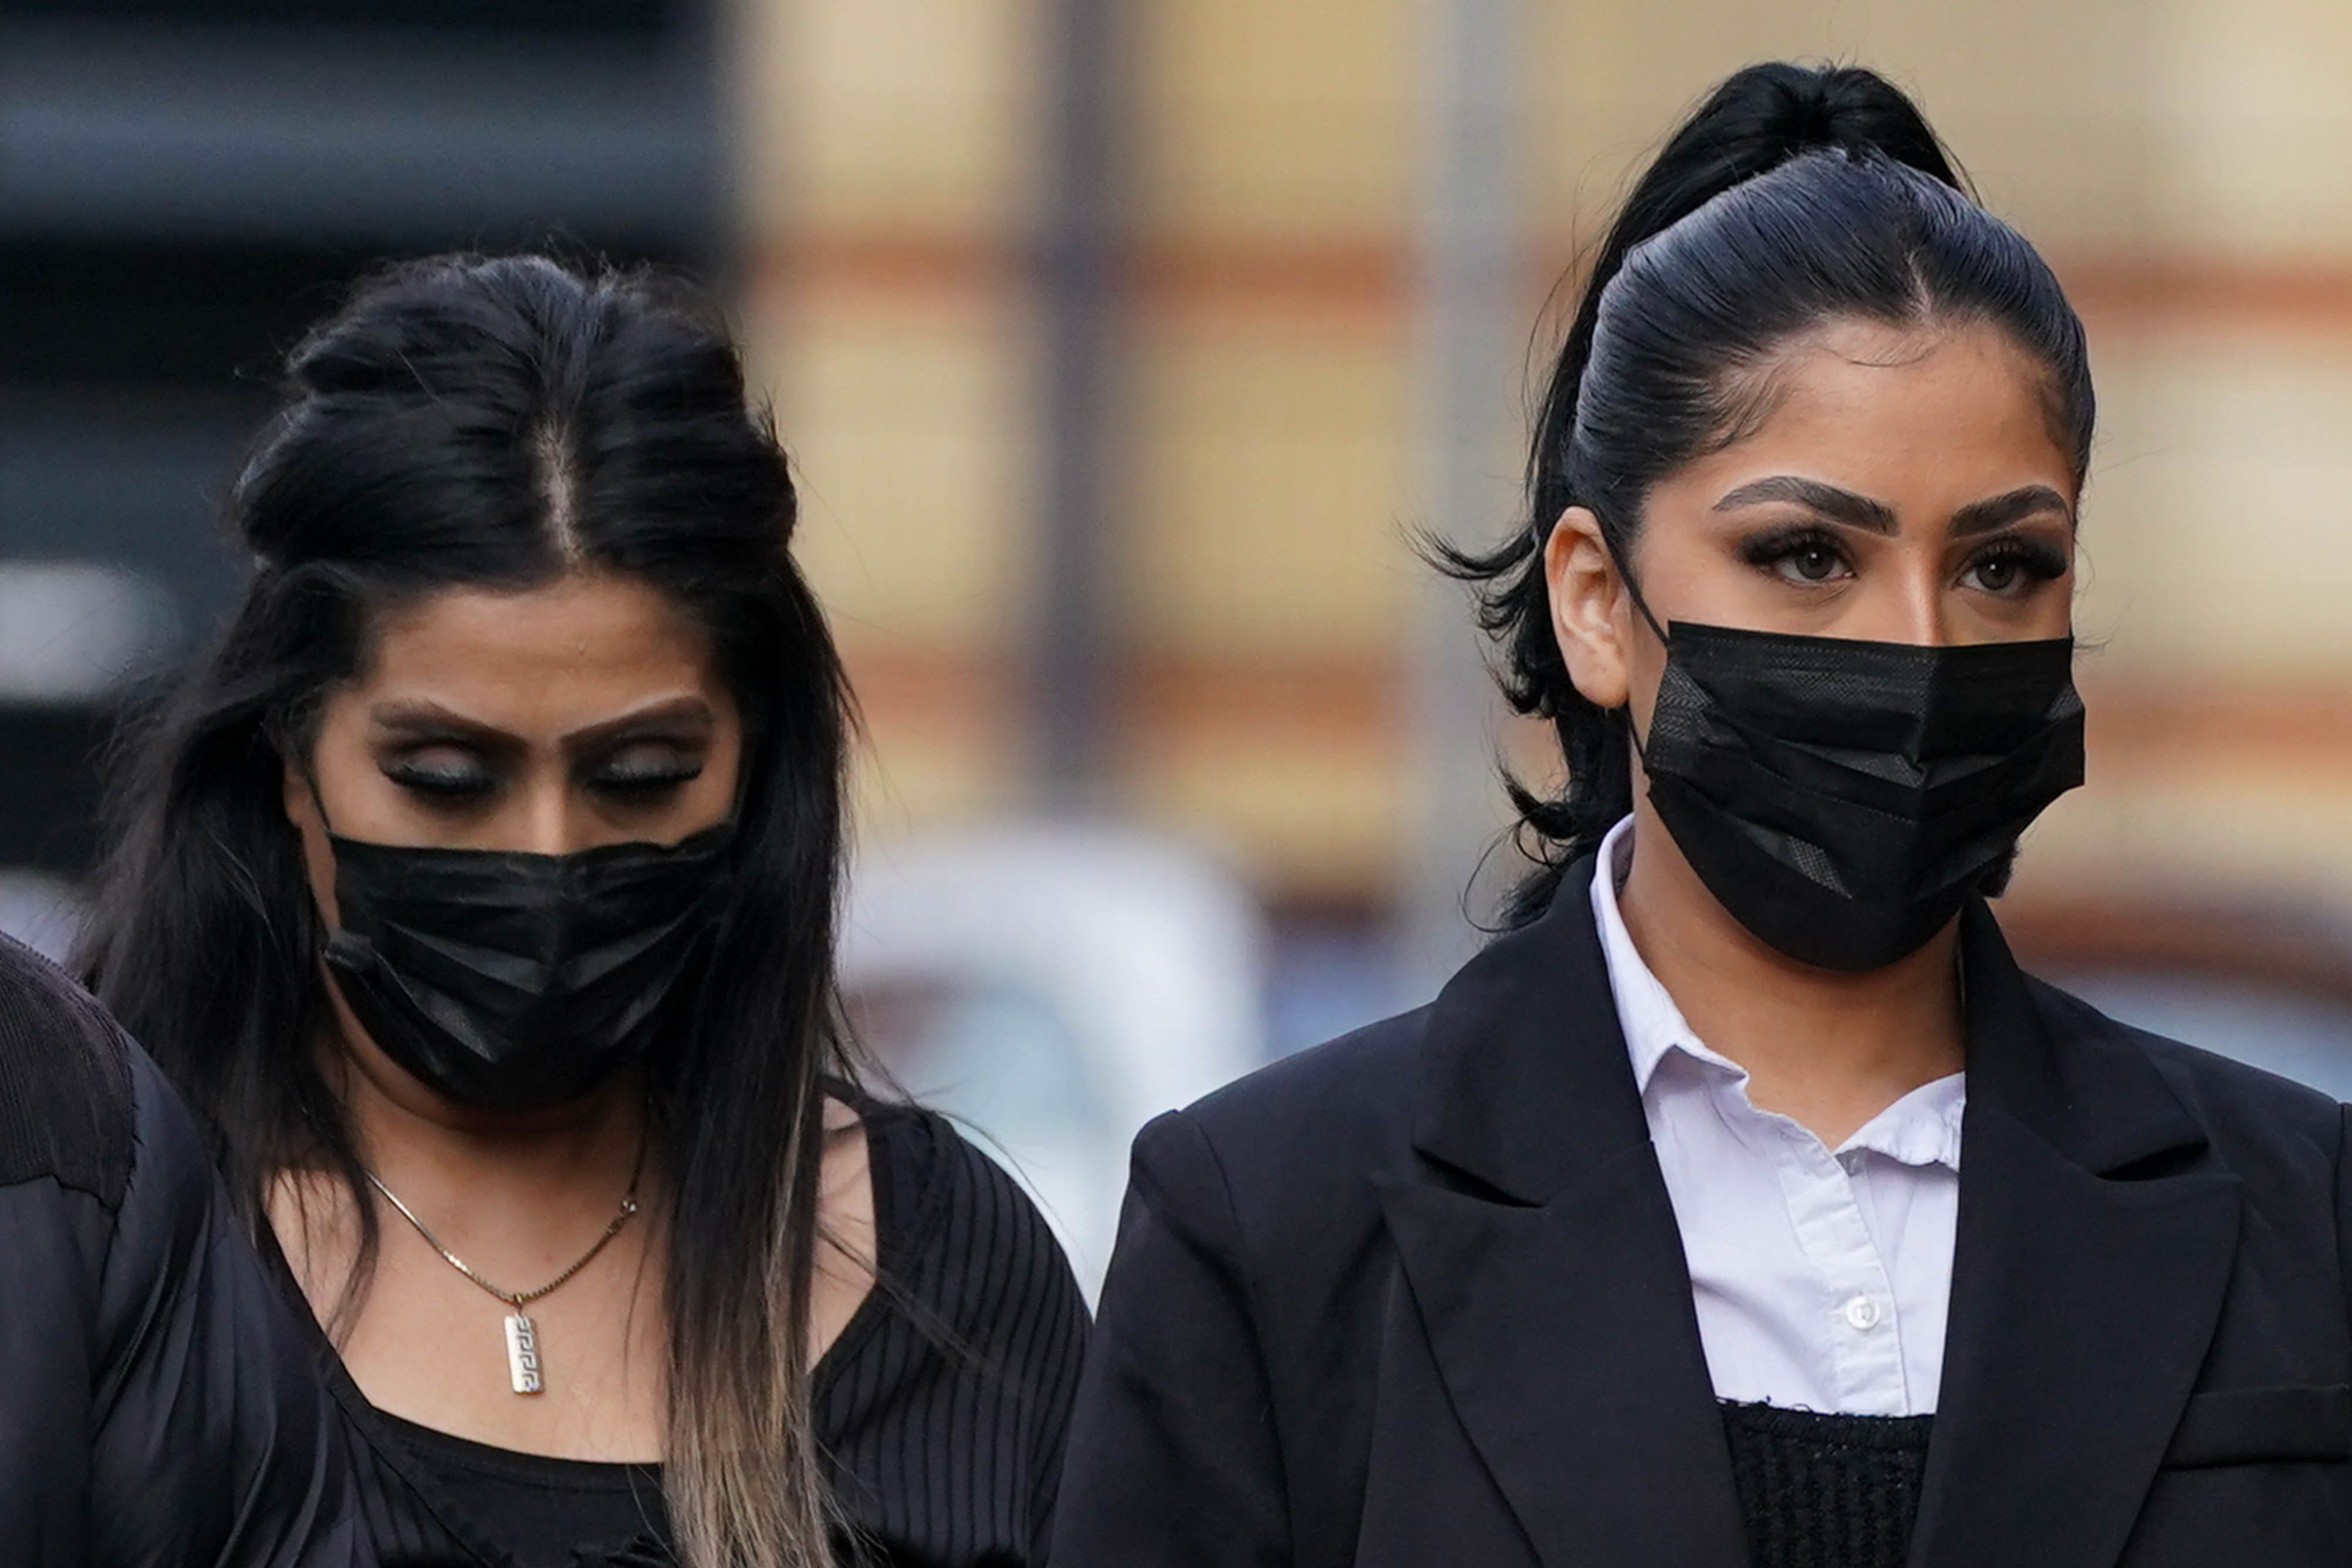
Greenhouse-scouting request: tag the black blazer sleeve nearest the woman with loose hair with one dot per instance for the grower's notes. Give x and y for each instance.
(1175, 1459)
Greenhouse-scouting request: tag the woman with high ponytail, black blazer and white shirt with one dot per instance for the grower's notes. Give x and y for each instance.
(1744, 1202)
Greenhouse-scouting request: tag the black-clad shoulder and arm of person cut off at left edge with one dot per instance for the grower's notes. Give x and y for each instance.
(159, 1402)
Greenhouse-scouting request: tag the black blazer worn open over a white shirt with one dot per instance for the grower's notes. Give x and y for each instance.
(1419, 1299)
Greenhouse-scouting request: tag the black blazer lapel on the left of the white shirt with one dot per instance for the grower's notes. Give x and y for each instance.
(1549, 1268)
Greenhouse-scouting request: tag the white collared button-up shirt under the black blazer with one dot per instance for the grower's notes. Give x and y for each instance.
(1822, 1275)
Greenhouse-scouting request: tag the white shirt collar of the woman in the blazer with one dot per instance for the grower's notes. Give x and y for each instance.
(1920, 1130)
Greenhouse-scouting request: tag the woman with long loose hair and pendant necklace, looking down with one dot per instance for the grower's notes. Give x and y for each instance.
(481, 890)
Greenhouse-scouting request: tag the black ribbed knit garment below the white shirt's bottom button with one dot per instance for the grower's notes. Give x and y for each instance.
(1826, 1492)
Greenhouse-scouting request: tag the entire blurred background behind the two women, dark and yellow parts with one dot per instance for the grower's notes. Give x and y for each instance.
(1125, 347)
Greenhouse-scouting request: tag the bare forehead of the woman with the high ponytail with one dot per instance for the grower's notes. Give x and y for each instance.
(1925, 415)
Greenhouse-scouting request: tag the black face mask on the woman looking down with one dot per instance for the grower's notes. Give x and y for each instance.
(516, 981)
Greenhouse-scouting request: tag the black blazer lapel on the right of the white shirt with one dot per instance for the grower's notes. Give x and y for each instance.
(2090, 1271)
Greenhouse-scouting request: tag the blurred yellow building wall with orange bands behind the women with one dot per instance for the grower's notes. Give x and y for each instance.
(1267, 424)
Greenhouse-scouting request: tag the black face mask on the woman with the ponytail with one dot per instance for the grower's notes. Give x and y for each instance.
(1845, 798)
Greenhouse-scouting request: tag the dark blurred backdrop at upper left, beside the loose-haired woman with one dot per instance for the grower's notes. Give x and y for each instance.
(185, 189)
